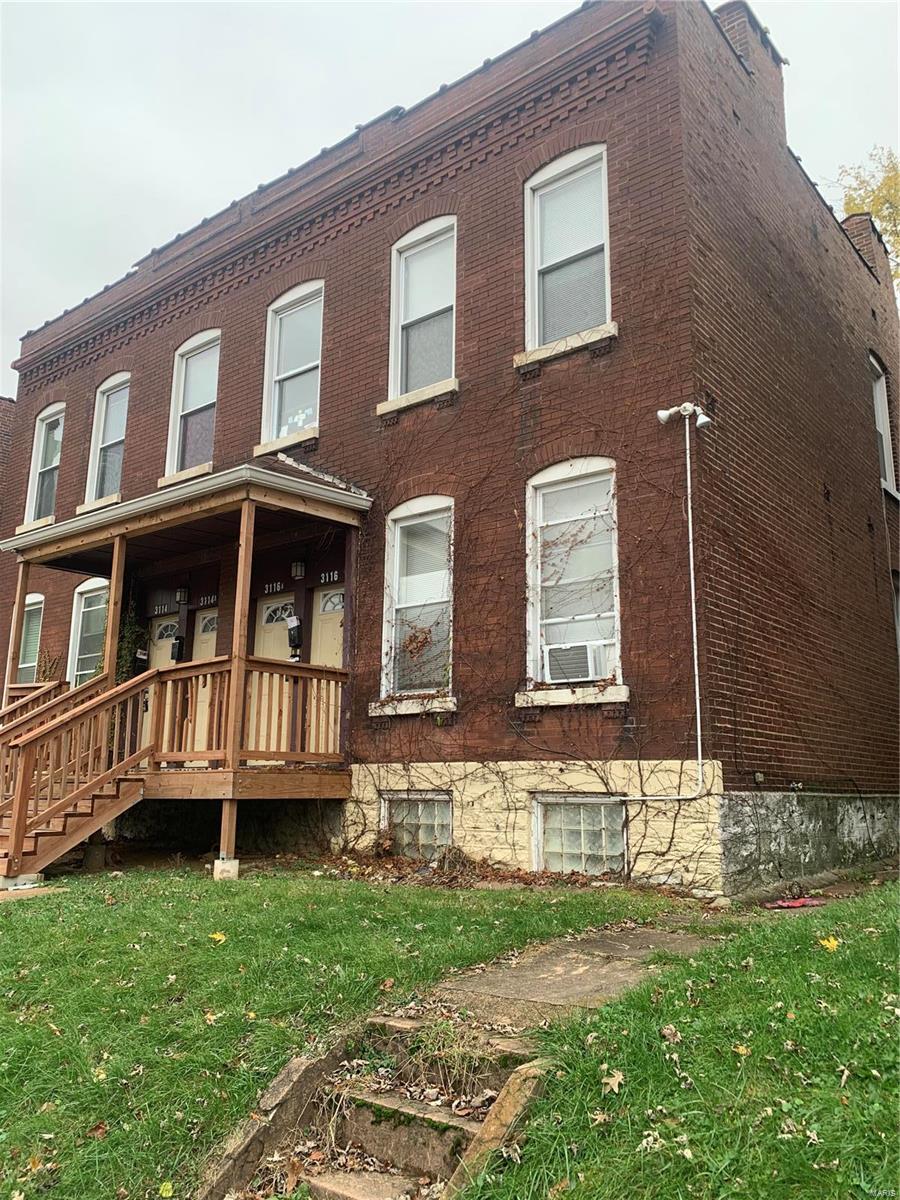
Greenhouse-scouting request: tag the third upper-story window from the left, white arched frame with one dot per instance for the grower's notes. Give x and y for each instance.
(195, 385)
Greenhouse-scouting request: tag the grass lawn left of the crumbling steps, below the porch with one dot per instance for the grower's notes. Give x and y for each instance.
(133, 1040)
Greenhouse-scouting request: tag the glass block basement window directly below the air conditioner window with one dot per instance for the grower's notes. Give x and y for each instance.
(583, 835)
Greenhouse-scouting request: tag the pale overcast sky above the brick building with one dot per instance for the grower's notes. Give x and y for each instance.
(125, 124)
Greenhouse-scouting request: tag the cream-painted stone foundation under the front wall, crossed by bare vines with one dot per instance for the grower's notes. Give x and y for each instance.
(669, 841)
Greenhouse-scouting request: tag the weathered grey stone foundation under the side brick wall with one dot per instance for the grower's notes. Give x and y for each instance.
(767, 837)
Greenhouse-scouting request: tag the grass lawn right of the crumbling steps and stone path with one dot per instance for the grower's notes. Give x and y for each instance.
(766, 1069)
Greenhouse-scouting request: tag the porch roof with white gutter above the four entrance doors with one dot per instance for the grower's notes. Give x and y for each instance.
(206, 505)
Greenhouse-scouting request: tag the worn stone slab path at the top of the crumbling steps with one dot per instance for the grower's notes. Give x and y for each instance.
(562, 977)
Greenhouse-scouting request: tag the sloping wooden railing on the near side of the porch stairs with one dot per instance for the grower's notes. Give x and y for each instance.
(73, 759)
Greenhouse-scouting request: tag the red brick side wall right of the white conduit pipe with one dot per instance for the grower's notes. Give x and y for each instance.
(800, 652)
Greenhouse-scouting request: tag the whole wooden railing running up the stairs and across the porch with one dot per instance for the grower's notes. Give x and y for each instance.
(81, 742)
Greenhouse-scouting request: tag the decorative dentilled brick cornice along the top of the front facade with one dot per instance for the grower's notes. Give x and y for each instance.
(515, 115)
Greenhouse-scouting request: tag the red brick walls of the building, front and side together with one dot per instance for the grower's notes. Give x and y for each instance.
(695, 314)
